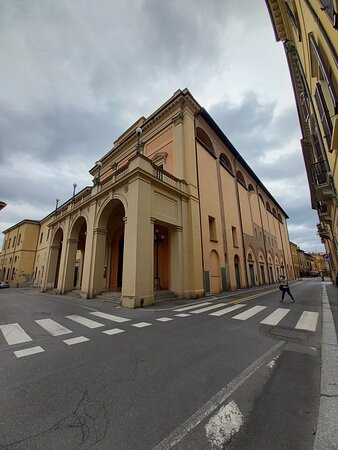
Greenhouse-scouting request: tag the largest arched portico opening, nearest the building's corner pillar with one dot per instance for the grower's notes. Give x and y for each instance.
(109, 254)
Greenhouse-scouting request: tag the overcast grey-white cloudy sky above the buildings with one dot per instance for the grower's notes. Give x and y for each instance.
(75, 74)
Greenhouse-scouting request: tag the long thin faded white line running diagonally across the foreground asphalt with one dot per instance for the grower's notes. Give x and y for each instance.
(211, 405)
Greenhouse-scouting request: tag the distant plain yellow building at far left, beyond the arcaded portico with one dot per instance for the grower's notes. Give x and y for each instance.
(18, 253)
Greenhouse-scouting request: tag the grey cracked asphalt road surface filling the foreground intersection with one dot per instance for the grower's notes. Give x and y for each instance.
(198, 381)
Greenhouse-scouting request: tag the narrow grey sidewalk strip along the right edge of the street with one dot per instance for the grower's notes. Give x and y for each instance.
(327, 430)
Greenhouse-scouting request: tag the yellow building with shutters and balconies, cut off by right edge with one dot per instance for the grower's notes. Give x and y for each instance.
(308, 29)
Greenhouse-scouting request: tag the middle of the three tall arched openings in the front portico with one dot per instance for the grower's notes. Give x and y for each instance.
(75, 255)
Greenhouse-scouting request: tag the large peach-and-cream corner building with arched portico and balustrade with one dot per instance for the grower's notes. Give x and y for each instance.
(174, 207)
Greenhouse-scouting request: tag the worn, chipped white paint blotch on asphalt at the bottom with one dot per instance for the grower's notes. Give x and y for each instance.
(223, 425)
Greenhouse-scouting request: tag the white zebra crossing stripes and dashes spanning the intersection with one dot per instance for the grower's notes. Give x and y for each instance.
(14, 334)
